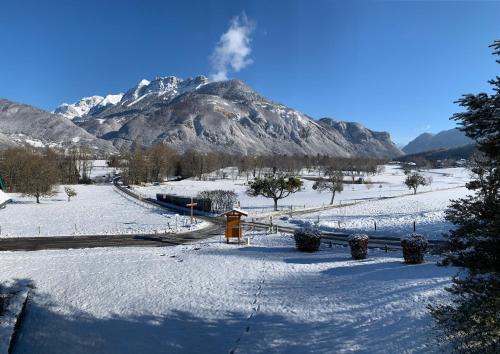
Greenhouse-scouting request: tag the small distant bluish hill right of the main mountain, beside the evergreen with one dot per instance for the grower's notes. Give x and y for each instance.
(446, 139)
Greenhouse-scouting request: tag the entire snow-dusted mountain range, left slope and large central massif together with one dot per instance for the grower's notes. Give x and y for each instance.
(194, 114)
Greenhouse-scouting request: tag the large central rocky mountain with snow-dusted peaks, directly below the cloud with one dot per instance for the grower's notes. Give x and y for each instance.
(224, 116)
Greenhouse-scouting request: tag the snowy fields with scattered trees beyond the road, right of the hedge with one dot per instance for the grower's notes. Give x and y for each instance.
(394, 216)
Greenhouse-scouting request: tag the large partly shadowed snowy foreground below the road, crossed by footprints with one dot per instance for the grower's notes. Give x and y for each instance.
(210, 297)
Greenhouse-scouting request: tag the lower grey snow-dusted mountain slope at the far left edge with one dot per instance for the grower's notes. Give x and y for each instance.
(22, 124)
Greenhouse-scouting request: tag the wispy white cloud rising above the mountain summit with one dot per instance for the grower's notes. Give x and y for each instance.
(233, 49)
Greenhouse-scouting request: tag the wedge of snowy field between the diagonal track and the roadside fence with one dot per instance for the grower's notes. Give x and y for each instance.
(394, 216)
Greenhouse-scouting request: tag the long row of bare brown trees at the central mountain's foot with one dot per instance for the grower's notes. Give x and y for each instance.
(158, 162)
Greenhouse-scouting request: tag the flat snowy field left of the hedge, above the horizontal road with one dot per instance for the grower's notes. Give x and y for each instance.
(96, 210)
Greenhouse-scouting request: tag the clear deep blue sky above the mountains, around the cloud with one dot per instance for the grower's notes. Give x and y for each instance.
(391, 65)
